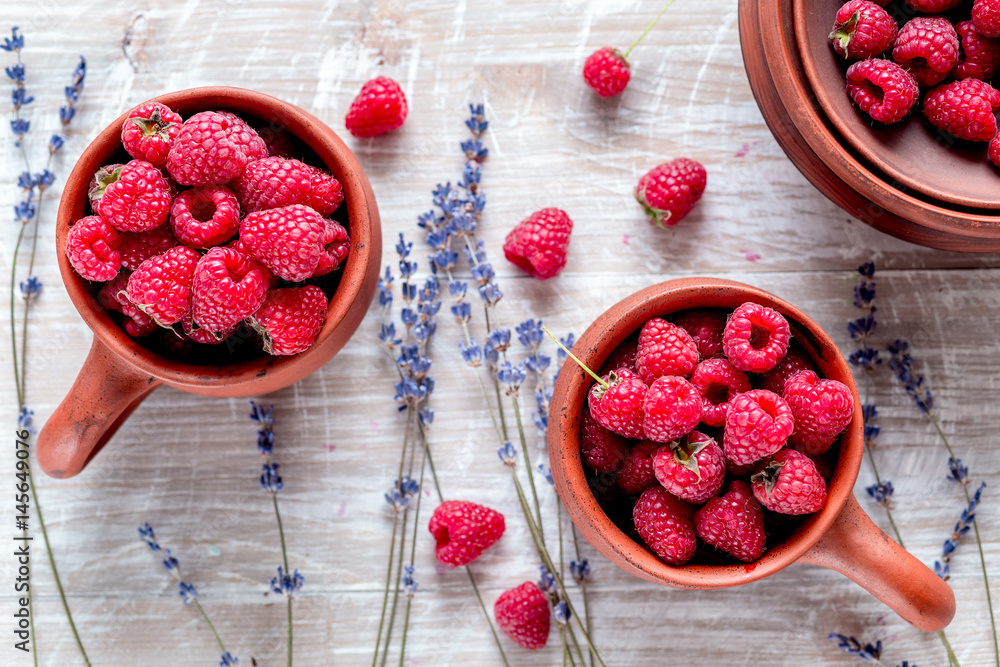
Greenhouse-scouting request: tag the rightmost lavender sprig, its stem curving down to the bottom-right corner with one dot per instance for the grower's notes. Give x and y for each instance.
(903, 364)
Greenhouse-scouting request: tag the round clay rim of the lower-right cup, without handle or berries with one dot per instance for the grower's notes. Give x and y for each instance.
(605, 334)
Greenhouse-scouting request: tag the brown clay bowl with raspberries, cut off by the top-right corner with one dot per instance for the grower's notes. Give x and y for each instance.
(904, 149)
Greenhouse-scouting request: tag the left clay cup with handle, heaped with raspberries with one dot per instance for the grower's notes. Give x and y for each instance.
(217, 240)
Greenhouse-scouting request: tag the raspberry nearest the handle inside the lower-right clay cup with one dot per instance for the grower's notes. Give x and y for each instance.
(789, 484)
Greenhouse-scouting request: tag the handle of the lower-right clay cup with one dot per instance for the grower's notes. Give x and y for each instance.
(861, 551)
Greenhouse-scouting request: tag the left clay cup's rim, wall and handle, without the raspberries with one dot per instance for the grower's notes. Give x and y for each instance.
(120, 372)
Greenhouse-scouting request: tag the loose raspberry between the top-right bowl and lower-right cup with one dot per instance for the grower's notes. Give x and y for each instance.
(669, 191)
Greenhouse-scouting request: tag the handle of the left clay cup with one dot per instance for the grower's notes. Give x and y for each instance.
(105, 393)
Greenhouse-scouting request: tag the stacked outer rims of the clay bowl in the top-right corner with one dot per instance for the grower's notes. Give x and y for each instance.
(784, 97)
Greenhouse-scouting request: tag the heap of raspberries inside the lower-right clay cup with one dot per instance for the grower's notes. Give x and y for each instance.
(712, 429)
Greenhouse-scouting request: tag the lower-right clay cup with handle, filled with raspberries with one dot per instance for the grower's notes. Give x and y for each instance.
(721, 445)
